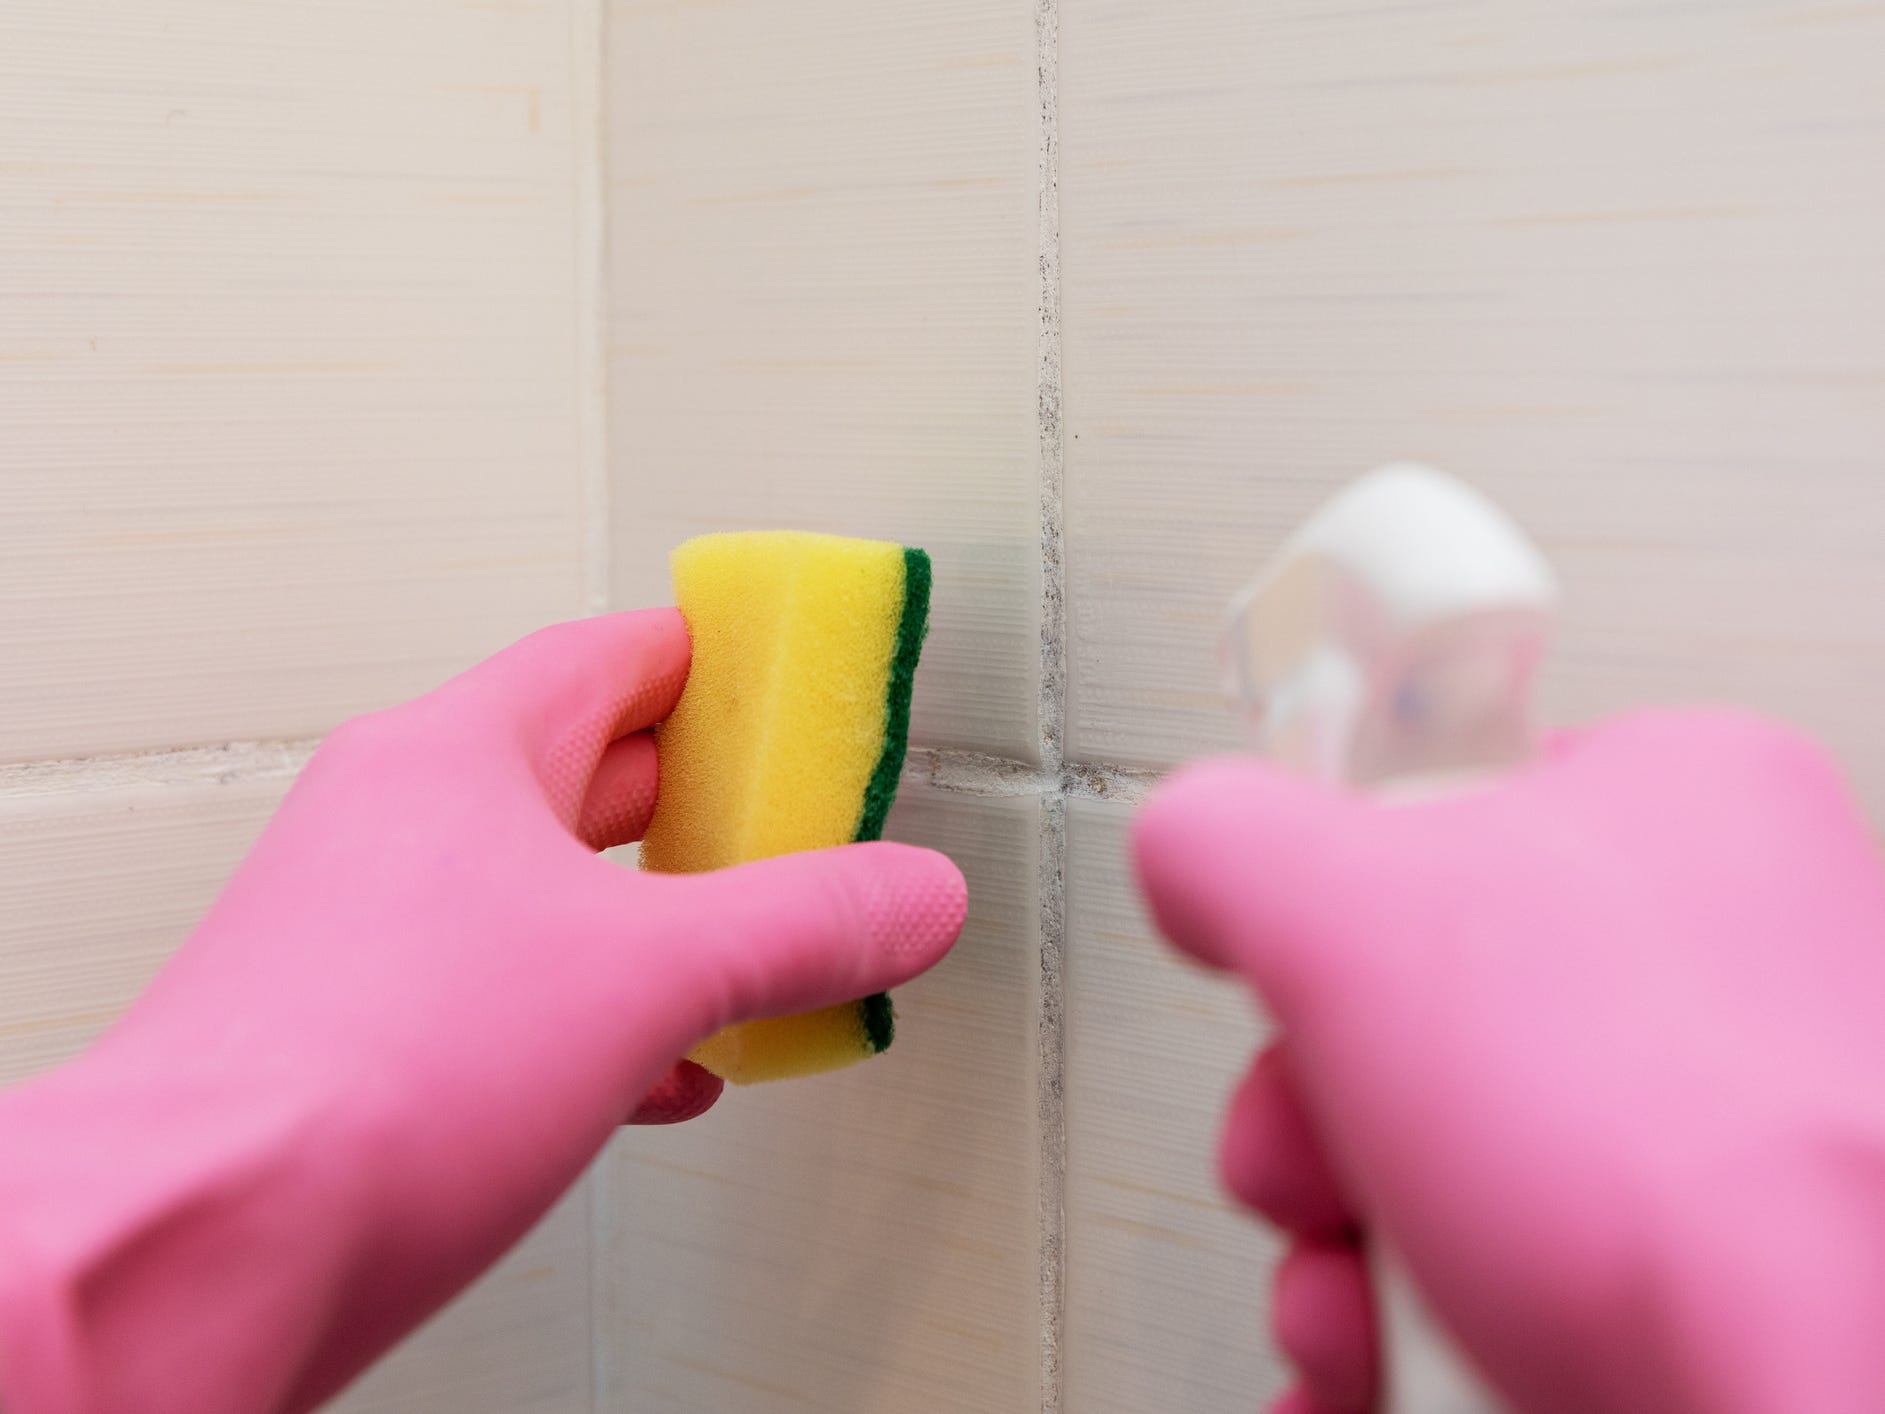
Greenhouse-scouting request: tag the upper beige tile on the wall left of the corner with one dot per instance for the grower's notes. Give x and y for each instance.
(287, 359)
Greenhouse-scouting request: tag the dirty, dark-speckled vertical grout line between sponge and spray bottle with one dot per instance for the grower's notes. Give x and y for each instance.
(1053, 725)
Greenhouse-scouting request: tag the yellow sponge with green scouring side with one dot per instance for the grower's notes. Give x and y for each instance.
(789, 736)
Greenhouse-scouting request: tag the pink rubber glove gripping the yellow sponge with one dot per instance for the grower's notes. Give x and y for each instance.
(408, 1025)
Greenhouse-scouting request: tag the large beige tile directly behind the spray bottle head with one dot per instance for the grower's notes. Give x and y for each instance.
(1618, 265)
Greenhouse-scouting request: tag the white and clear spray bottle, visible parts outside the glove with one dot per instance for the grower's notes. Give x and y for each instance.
(1392, 646)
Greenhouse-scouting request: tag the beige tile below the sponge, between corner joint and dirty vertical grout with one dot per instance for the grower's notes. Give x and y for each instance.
(861, 1241)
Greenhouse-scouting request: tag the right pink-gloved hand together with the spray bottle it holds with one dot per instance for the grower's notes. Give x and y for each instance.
(1581, 1045)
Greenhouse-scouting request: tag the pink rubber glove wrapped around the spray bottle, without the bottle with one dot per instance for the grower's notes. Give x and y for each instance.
(1601, 1049)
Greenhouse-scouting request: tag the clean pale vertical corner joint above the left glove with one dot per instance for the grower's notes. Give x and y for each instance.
(589, 61)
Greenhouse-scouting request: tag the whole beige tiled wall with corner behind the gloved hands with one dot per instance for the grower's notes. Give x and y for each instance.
(342, 346)
